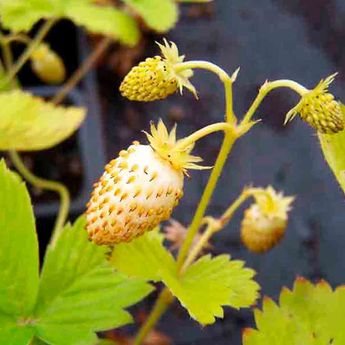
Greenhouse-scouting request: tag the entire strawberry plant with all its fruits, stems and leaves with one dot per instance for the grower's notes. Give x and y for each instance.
(114, 255)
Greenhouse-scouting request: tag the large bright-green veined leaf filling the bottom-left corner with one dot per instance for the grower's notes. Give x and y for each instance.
(78, 292)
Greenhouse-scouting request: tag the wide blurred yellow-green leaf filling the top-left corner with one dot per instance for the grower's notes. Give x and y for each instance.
(21, 15)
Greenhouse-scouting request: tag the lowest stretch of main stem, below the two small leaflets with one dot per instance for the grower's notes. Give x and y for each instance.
(162, 303)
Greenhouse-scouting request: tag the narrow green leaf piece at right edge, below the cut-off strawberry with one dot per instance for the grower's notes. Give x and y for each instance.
(333, 147)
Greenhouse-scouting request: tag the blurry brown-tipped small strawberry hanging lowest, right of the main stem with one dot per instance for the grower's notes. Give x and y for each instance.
(265, 221)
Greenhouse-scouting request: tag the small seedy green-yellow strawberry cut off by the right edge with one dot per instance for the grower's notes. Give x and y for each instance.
(319, 109)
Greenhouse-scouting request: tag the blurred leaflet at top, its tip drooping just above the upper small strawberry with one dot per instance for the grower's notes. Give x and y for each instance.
(104, 20)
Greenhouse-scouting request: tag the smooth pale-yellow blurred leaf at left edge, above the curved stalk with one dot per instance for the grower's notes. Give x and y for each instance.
(29, 123)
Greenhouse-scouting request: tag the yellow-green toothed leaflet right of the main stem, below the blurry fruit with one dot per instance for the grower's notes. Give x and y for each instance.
(211, 283)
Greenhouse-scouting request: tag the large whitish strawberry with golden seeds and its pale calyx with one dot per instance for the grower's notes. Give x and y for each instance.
(138, 190)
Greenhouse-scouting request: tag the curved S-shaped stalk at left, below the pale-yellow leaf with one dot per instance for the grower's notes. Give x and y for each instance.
(48, 185)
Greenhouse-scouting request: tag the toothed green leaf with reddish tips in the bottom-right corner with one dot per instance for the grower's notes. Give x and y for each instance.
(309, 315)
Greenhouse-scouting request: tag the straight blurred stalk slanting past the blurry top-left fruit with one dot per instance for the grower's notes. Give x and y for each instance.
(43, 31)
